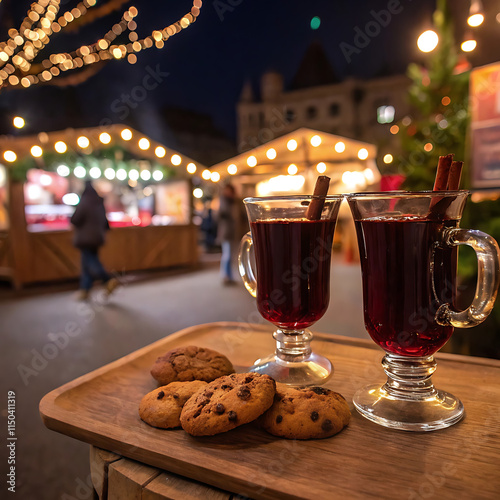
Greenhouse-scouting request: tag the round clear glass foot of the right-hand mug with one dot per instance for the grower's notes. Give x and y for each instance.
(436, 411)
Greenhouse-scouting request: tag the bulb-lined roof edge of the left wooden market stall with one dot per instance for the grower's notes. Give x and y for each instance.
(99, 141)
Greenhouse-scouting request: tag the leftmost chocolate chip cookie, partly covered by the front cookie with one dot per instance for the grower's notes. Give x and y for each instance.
(162, 407)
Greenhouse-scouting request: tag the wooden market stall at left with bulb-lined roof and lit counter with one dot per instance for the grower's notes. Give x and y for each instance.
(147, 193)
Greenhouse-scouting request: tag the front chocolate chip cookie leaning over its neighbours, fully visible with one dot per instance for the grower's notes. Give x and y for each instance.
(228, 402)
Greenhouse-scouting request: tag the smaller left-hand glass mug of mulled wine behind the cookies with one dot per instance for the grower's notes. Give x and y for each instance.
(292, 281)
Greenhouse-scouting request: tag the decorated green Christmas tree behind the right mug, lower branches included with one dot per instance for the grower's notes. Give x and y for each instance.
(438, 126)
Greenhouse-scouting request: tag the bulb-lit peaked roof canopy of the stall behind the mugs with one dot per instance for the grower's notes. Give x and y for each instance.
(303, 148)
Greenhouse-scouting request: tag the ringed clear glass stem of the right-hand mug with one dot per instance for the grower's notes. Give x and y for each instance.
(409, 377)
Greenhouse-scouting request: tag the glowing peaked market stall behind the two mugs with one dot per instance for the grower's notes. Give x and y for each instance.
(290, 165)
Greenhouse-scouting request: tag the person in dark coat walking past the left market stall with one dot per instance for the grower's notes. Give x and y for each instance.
(91, 225)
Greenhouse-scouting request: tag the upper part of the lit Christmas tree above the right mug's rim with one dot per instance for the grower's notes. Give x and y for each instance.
(438, 95)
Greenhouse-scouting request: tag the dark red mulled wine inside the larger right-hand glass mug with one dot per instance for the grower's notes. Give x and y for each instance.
(407, 275)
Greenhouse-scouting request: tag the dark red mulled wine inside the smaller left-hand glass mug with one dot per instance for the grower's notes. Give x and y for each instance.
(293, 270)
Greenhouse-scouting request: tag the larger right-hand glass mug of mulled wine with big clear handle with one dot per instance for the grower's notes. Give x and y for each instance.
(408, 246)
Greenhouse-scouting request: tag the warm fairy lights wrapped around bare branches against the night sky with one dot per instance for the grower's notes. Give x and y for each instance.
(41, 22)
